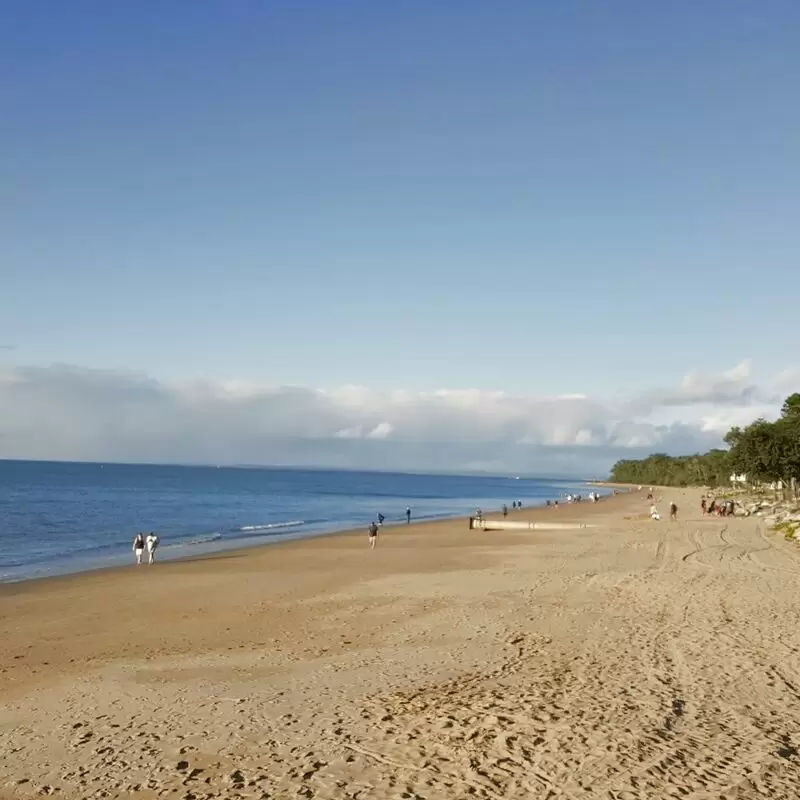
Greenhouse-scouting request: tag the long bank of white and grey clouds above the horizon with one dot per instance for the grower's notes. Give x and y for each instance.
(73, 413)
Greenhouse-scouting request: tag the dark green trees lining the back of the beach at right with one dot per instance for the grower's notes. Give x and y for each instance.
(765, 452)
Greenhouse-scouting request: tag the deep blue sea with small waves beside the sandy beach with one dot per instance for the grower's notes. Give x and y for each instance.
(58, 518)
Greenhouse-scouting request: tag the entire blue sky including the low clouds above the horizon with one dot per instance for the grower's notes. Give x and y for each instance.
(456, 235)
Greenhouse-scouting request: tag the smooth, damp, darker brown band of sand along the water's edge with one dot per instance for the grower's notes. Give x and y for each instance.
(40, 617)
